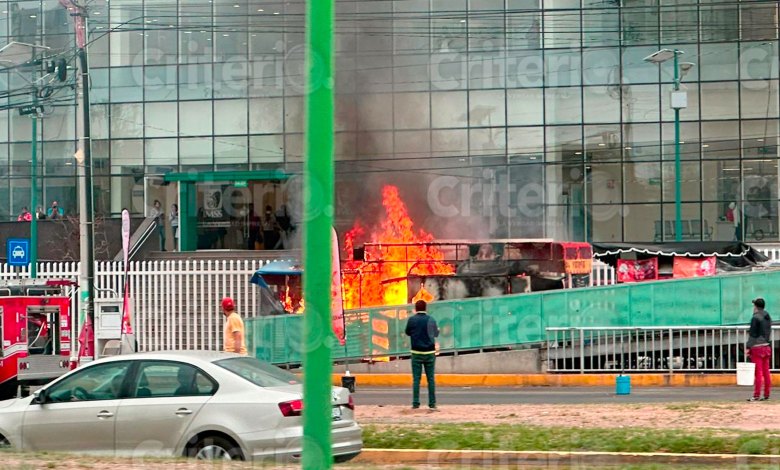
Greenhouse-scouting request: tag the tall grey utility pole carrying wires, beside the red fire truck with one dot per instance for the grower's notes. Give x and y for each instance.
(86, 213)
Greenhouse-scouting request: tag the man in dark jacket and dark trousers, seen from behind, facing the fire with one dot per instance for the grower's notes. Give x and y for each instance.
(422, 330)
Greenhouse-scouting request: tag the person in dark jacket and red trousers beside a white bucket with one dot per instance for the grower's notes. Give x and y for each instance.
(759, 348)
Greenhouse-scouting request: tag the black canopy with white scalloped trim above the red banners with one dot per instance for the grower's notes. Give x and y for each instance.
(731, 256)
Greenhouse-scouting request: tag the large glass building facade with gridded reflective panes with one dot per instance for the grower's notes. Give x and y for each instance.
(496, 118)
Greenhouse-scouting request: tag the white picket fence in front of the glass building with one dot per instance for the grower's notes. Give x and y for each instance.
(175, 303)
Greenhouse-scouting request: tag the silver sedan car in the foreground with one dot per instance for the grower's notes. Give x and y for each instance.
(207, 405)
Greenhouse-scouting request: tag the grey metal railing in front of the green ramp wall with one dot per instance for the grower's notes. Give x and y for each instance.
(649, 349)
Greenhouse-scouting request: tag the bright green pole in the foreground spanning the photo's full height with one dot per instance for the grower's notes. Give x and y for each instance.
(318, 176)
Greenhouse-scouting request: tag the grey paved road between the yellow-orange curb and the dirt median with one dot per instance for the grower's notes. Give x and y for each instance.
(551, 395)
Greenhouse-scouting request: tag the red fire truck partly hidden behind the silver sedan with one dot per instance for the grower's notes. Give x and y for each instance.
(36, 329)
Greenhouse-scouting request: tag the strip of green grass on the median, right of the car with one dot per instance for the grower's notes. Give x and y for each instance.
(476, 436)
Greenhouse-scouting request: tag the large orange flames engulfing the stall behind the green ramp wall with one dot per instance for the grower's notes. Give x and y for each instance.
(382, 280)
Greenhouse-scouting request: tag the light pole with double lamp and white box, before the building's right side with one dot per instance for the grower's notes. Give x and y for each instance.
(679, 100)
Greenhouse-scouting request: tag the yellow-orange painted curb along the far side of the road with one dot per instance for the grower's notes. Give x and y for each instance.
(550, 380)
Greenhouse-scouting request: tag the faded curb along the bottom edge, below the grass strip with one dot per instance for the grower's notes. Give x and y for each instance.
(552, 459)
